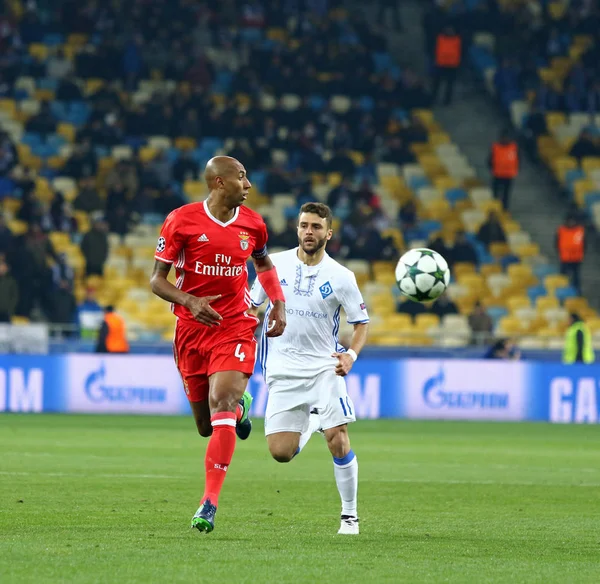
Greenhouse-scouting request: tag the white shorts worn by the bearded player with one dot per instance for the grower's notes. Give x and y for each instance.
(290, 402)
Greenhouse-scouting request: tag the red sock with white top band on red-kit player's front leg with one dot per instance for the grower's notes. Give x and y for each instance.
(219, 454)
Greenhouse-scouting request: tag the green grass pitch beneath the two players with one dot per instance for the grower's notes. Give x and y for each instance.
(109, 499)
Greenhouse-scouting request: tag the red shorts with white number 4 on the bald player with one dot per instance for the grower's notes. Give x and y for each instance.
(201, 351)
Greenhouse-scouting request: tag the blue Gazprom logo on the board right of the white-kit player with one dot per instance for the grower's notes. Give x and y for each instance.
(436, 396)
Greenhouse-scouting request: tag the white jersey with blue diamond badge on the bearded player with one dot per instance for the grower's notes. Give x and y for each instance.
(314, 297)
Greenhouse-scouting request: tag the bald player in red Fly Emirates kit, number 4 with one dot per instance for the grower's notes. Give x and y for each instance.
(214, 345)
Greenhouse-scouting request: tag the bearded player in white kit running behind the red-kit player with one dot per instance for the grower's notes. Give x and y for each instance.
(305, 367)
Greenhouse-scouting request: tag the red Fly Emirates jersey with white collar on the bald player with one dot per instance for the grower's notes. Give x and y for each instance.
(210, 256)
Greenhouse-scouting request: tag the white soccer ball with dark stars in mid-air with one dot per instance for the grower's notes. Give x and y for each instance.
(422, 274)
